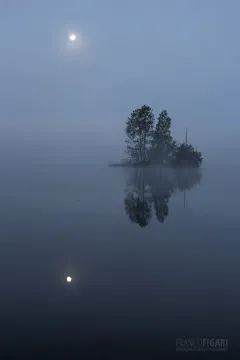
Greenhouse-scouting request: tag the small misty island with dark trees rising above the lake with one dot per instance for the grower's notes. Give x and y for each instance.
(151, 143)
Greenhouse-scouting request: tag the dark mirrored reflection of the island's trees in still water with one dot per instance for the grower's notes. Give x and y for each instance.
(151, 189)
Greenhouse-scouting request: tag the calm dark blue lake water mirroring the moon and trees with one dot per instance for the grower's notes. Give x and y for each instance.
(153, 256)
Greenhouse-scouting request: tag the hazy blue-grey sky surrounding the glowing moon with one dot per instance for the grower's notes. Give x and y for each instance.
(183, 56)
